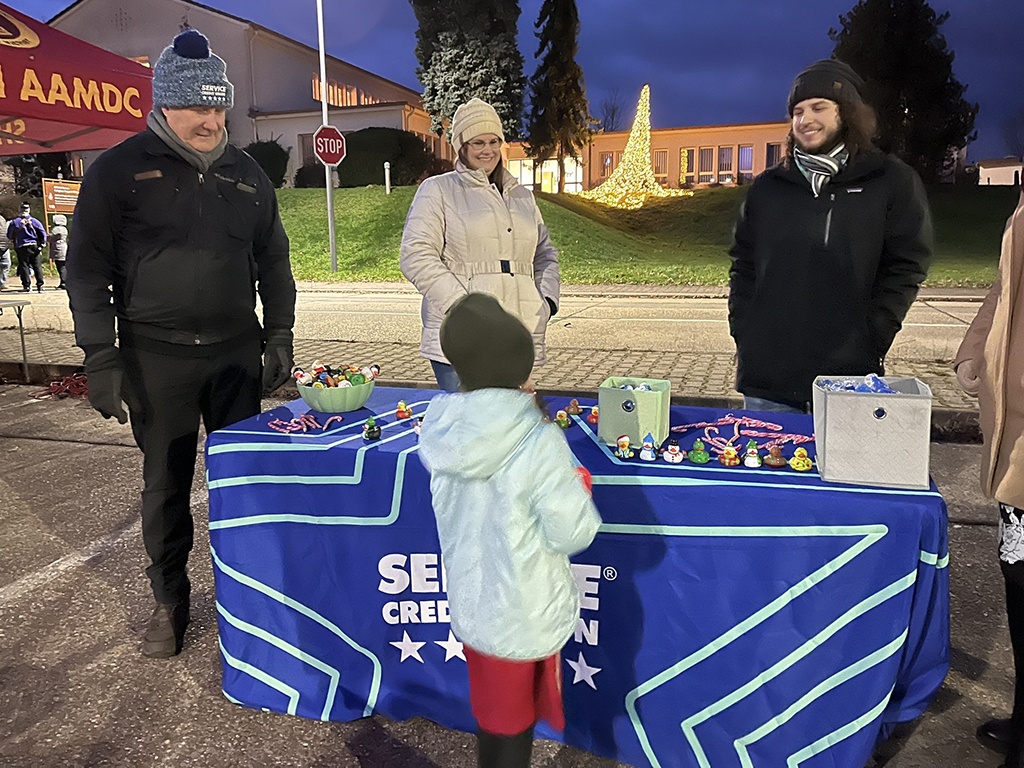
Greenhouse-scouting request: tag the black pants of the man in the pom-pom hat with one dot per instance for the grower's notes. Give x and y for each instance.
(169, 396)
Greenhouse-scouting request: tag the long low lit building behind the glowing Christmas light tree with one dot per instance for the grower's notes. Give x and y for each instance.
(680, 157)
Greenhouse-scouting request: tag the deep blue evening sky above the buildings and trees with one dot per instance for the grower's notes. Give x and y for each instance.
(727, 62)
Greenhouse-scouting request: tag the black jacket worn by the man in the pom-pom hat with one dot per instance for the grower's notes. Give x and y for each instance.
(181, 253)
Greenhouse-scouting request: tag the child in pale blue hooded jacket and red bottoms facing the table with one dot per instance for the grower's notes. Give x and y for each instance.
(511, 509)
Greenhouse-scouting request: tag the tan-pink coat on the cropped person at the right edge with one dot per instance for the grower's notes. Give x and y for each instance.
(995, 345)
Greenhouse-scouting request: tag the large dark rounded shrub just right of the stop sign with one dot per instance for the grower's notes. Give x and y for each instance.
(368, 150)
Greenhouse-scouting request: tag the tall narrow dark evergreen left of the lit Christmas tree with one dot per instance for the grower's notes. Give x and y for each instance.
(560, 124)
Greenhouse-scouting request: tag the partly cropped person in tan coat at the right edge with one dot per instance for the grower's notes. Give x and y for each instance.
(991, 365)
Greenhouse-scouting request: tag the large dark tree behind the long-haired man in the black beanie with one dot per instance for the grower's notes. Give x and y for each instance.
(898, 48)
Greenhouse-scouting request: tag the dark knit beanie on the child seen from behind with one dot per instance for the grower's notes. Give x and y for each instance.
(488, 347)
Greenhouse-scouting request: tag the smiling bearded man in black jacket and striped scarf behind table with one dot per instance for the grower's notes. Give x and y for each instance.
(829, 251)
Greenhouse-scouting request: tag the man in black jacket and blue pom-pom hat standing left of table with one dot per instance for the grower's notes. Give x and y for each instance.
(175, 233)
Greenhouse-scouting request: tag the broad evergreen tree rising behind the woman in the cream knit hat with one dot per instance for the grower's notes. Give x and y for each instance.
(468, 49)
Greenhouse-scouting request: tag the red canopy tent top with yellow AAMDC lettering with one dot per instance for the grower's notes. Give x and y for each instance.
(59, 94)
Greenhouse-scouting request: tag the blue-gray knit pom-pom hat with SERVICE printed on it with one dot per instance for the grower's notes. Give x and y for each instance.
(189, 75)
